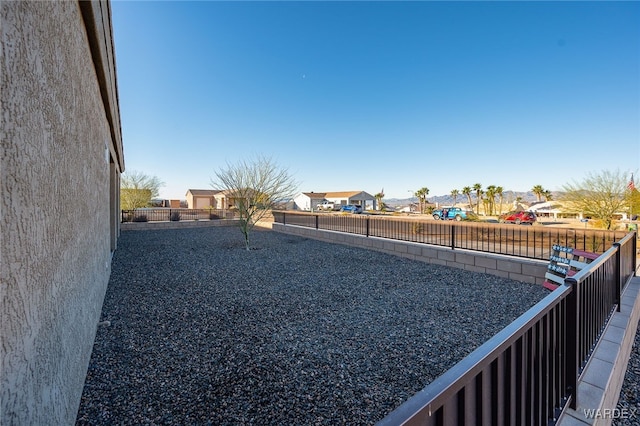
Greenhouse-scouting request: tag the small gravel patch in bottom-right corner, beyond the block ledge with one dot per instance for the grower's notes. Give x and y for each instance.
(629, 402)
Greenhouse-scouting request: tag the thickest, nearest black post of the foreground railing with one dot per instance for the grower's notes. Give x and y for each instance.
(572, 344)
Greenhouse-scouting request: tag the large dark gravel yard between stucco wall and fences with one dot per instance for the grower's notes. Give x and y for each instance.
(295, 331)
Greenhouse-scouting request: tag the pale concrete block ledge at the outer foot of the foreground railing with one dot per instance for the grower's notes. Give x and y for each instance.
(604, 375)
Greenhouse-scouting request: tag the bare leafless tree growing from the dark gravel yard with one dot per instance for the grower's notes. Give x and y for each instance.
(255, 186)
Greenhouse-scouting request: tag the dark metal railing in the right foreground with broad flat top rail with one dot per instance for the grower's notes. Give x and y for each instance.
(529, 372)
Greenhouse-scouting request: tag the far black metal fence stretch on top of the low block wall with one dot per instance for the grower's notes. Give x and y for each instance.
(533, 242)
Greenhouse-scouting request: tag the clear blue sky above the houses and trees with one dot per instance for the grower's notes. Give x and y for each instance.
(371, 95)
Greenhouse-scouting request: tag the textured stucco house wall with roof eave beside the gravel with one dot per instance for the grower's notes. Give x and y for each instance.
(59, 178)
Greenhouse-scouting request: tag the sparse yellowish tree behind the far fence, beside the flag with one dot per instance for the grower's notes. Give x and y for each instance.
(599, 195)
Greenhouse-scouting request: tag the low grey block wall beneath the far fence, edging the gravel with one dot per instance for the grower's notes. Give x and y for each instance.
(526, 270)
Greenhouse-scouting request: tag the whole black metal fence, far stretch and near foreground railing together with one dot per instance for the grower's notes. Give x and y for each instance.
(529, 372)
